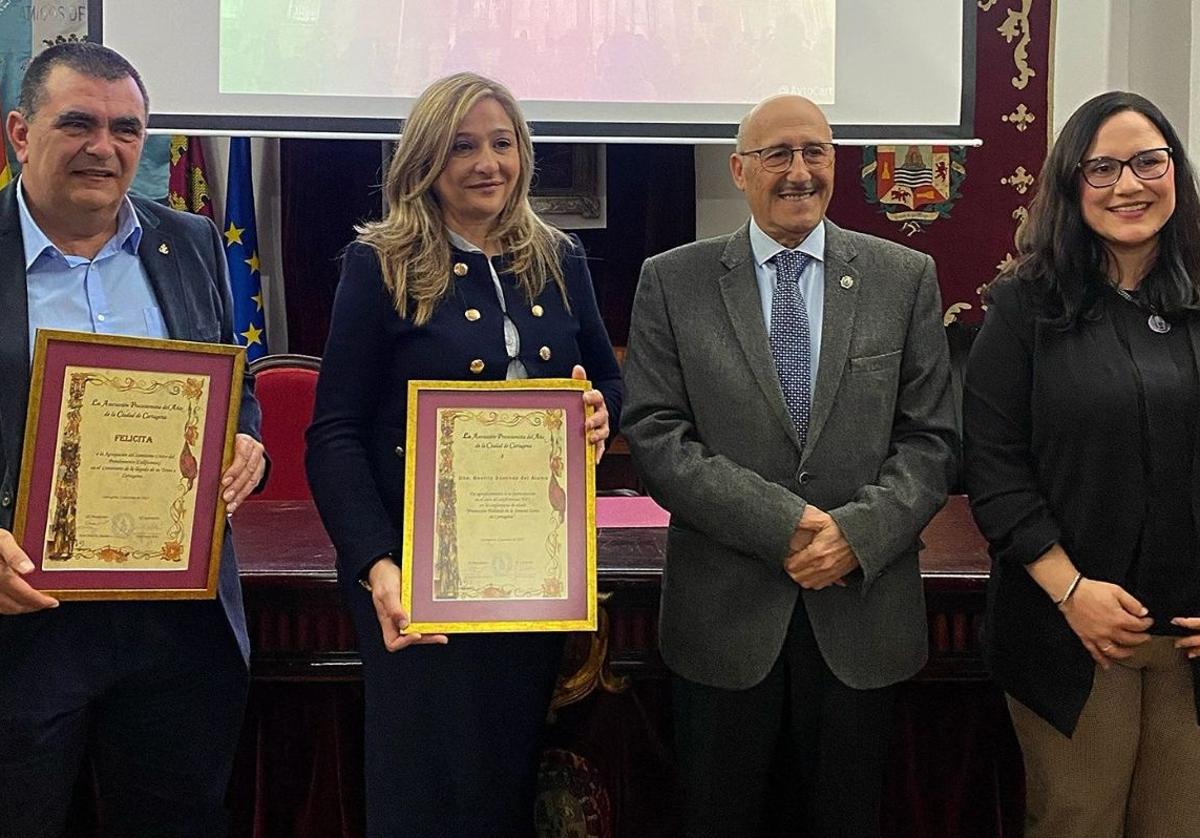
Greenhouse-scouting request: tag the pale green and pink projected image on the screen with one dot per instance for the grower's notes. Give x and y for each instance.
(602, 51)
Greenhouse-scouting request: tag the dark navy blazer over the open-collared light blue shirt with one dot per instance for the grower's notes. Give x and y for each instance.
(185, 261)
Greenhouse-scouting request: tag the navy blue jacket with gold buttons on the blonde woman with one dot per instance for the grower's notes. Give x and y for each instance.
(356, 444)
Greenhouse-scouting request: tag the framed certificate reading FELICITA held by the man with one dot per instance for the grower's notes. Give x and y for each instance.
(125, 444)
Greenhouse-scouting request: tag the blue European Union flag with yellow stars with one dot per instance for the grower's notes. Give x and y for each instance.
(242, 253)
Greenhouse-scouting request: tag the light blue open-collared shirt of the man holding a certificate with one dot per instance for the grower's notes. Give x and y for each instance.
(110, 295)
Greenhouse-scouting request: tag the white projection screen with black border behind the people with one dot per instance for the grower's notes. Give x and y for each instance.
(584, 70)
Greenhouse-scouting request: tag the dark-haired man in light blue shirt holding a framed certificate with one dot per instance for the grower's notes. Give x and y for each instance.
(152, 692)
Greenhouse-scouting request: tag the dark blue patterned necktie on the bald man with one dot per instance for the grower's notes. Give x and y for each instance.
(790, 339)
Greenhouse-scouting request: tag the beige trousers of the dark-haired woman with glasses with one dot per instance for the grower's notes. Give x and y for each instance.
(1132, 770)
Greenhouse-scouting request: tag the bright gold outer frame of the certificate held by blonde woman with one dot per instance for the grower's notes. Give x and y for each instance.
(406, 596)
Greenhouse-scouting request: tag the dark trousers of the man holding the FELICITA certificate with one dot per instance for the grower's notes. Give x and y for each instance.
(154, 693)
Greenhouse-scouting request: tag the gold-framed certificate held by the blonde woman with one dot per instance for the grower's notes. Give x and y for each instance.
(500, 510)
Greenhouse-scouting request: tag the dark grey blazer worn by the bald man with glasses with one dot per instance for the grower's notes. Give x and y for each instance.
(713, 442)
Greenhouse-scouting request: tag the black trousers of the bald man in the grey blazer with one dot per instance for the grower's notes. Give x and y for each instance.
(800, 755)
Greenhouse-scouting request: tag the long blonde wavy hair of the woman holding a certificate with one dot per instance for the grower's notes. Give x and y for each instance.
(412, 242)
